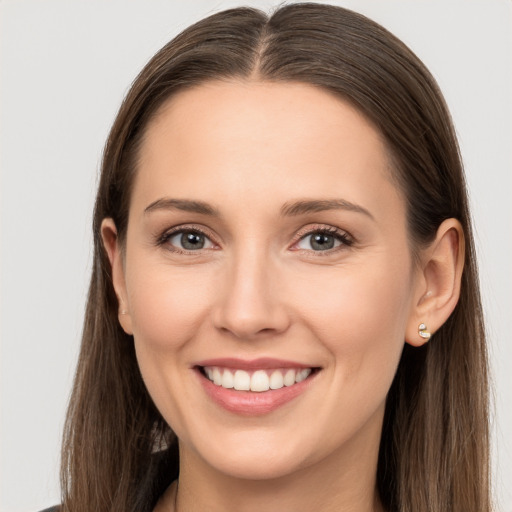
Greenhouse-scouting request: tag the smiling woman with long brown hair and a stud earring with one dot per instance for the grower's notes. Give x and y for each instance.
(284, 311)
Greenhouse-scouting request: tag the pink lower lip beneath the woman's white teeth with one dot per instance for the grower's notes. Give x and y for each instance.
(250, 403)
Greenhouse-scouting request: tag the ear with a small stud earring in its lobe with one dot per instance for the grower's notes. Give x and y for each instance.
(438, 284)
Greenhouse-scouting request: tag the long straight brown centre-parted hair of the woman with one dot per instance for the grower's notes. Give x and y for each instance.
(434, 447)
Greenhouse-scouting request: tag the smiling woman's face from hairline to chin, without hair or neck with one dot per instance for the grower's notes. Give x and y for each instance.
(266, 244)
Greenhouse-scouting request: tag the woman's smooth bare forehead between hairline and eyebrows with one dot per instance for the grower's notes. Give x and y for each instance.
(229, 139)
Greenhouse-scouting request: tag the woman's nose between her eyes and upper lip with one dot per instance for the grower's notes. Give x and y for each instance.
(251, 301)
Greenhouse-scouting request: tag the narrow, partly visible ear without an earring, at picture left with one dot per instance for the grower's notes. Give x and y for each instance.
(115, 256)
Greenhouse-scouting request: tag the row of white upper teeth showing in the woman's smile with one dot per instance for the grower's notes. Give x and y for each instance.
(259, 381)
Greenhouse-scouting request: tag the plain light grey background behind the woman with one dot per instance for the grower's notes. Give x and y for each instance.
(65, 66)
